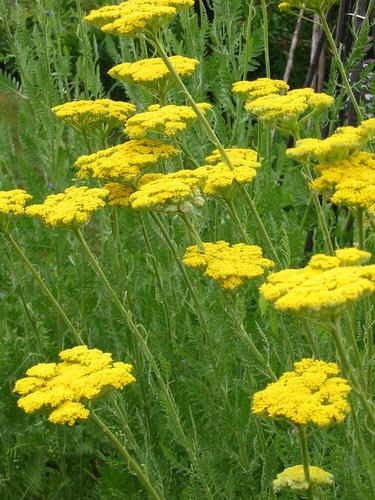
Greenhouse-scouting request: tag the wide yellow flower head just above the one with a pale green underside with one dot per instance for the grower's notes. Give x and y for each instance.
(124, 162)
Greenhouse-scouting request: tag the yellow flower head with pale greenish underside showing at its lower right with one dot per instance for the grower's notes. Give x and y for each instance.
(175, 192)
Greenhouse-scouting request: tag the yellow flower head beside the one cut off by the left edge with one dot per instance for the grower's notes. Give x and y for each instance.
(72, 208)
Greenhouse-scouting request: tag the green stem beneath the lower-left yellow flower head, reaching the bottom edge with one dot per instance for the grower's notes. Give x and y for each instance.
(131, 462)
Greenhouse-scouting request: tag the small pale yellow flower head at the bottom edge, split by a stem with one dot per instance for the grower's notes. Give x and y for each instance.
(293, 479)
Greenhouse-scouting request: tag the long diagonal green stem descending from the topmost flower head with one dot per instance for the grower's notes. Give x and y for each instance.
(211, 134)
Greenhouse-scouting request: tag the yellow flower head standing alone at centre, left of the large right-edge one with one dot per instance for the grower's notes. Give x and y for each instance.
(230, 265)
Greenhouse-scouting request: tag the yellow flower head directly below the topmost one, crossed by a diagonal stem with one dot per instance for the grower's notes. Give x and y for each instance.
(152, 70)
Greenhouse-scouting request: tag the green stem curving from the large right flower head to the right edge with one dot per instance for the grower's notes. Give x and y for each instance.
(350, 373)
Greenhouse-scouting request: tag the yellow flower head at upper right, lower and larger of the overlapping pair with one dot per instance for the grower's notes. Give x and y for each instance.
(292, 106)
